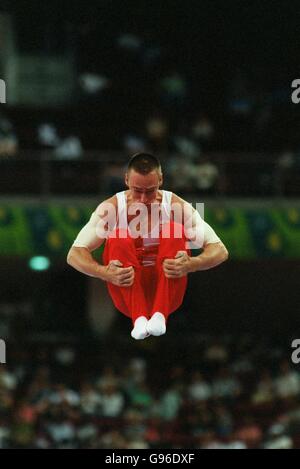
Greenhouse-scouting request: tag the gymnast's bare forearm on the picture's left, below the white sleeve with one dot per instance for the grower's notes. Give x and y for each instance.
(82, 260)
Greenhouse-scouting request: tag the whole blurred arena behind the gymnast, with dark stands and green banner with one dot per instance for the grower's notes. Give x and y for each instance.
(206, 87)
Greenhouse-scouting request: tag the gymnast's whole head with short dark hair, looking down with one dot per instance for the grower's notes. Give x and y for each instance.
(144, 177)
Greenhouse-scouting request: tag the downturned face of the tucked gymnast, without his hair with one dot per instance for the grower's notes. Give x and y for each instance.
(143, 187)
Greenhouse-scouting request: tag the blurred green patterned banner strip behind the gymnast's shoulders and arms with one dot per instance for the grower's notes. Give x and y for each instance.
(248, 232)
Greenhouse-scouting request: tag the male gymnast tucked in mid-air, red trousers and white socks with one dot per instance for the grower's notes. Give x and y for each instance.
(147, 233)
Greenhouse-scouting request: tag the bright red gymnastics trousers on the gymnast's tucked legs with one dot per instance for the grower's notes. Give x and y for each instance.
(151, 291)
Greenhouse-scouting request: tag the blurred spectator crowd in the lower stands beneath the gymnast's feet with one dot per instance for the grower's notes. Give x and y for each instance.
(234, 392)
